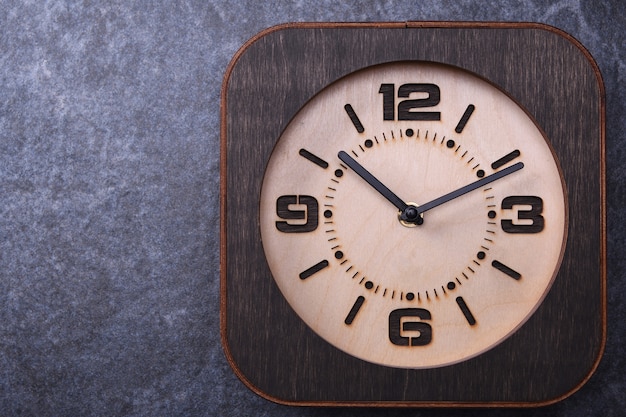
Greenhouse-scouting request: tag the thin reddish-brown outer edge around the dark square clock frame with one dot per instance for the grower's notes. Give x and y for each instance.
(410, 24)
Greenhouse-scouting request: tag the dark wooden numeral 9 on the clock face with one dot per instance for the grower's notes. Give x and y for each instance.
(299, 219)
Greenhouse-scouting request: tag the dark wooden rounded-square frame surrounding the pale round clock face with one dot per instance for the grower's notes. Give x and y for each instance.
(273, 351)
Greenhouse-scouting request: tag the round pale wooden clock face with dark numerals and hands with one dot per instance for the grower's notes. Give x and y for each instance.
(413, 215)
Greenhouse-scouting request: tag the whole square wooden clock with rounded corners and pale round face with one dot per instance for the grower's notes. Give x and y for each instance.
(413, 214)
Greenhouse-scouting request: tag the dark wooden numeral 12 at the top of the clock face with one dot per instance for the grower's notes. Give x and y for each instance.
(405, 106)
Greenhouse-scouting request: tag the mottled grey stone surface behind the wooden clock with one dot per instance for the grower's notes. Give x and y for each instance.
(109, 203)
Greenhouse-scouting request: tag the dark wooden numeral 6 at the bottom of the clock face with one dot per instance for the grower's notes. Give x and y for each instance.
(404, 331)
